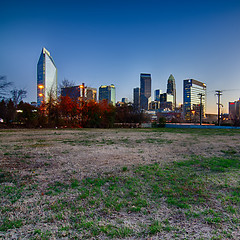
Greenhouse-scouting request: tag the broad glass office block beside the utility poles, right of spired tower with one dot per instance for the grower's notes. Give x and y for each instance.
(193, 92)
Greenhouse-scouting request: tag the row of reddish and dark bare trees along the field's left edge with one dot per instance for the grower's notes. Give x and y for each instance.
(62, 112)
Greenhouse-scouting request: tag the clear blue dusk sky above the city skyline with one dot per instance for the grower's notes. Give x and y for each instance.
(101, 42)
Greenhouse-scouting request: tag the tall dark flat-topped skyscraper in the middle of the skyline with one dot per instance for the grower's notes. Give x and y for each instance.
(145, 90)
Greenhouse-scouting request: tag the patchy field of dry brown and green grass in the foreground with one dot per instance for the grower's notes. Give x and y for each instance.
(120, 183)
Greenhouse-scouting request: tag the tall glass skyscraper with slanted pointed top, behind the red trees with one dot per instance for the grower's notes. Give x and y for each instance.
(46, 77)
